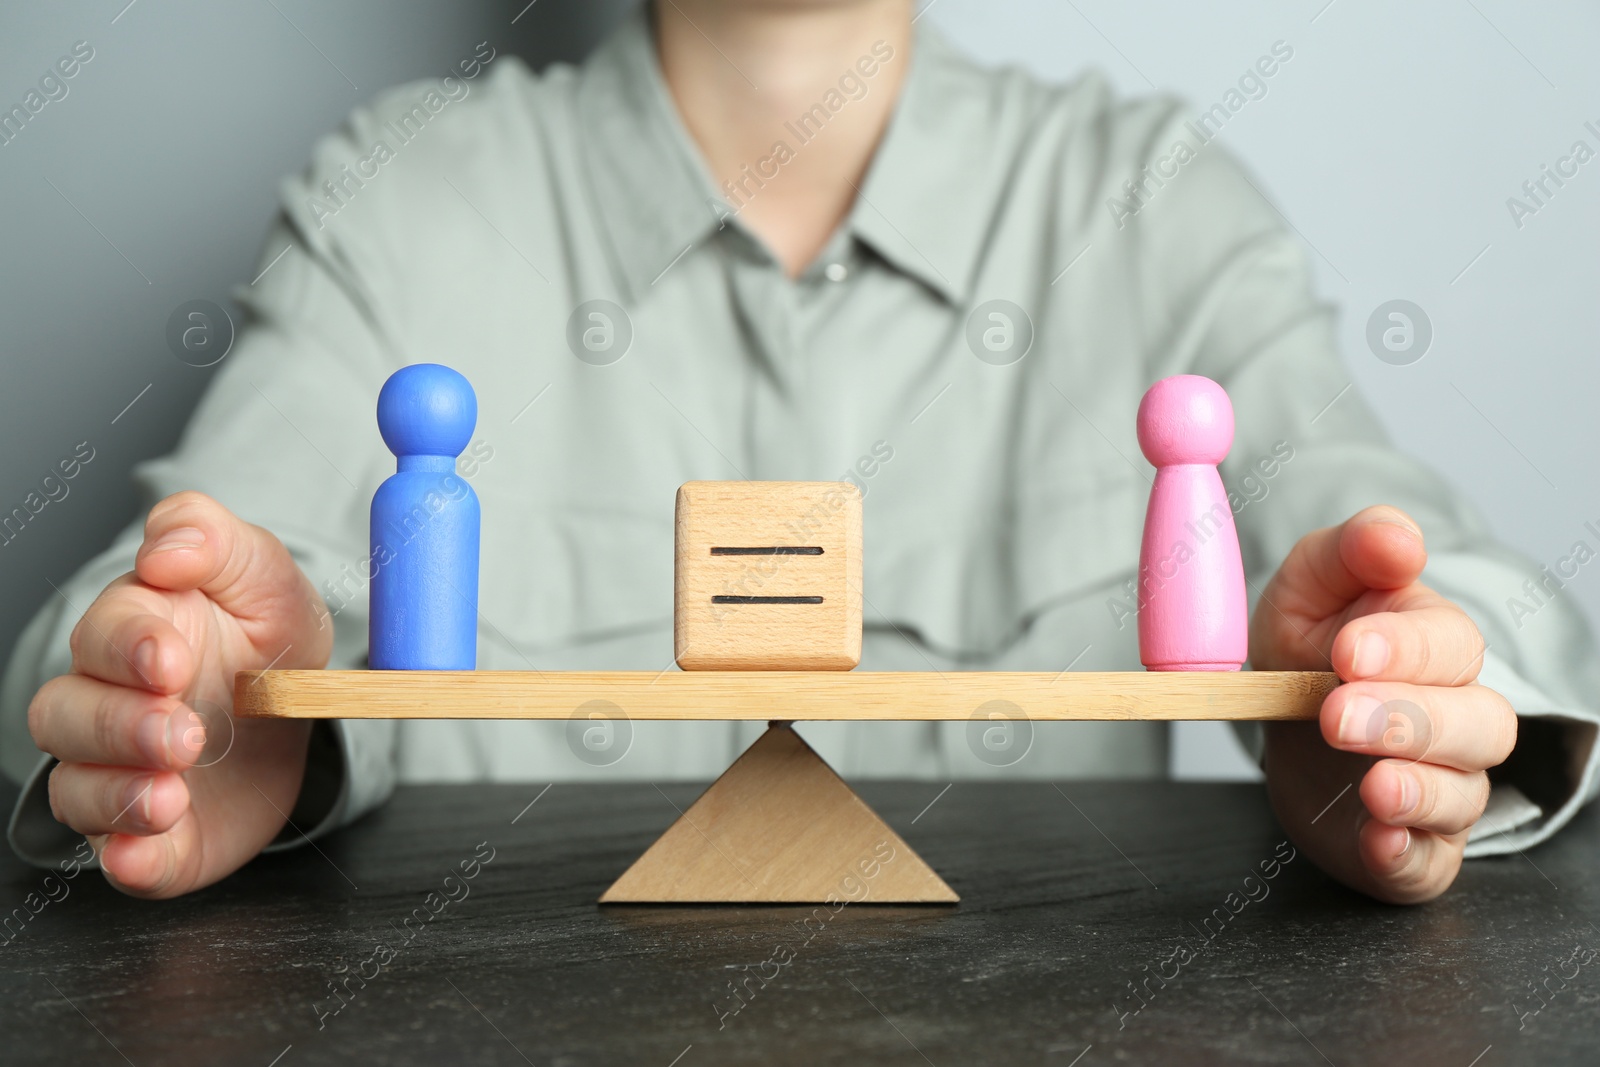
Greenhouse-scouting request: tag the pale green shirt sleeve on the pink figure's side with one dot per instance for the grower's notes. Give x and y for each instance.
(1310, 454)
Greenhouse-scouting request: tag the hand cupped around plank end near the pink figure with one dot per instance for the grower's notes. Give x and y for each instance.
(1410, 725)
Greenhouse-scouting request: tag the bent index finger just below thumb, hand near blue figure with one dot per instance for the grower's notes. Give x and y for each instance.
(122, 639)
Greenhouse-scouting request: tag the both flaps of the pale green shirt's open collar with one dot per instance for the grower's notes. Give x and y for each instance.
(922, 206)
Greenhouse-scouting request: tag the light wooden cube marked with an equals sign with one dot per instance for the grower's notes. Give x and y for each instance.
(769, 577)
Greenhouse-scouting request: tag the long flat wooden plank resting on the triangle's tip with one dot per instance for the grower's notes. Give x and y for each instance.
(786, 695)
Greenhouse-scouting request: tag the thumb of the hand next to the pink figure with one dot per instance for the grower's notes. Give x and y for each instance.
(1378, 548)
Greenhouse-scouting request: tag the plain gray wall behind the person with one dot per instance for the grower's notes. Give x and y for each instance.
(1391, 143)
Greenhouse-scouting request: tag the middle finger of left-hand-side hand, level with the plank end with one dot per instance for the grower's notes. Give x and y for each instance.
(86, 721)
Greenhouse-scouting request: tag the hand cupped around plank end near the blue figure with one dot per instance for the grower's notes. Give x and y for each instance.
(140, 773)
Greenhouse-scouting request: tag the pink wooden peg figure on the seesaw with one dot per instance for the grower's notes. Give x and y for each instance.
(1193, 609)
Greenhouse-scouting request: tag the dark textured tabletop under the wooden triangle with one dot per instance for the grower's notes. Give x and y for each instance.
(1071, 900)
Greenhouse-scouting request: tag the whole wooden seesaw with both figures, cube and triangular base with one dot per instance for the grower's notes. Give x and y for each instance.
(767, 626)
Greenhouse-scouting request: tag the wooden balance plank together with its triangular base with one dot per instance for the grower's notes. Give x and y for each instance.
(780, 826)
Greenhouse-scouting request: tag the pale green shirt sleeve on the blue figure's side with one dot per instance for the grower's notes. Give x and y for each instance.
(284, 438)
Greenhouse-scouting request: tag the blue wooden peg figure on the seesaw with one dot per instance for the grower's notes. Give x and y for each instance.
(425, 565)
